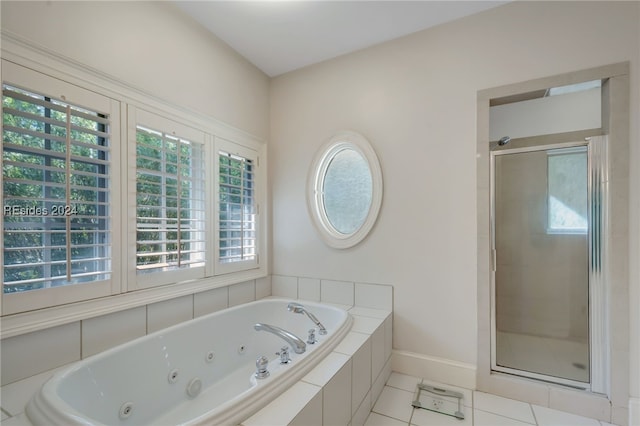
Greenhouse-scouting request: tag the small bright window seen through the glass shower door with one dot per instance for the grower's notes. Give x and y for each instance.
(567, 191)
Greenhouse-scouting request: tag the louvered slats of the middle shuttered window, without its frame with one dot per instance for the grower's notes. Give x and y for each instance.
(170, 202)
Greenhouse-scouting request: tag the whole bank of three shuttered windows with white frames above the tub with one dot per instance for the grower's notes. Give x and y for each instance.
(105, 193)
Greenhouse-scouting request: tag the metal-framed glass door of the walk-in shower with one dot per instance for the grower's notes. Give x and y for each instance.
(541, 262)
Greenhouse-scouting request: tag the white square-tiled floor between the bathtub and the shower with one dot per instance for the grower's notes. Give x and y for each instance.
(393, 407)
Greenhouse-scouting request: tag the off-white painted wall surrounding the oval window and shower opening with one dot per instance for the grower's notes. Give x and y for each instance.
(415, 100)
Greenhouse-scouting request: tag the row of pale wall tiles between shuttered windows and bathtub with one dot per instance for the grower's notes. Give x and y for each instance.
(30, 354)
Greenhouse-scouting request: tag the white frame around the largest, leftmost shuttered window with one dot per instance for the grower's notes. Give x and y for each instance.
(36, 82)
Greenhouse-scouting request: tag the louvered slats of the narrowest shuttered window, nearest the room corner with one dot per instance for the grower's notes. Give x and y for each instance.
(237, 209)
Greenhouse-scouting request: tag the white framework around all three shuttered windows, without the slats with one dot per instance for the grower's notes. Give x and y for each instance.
(120, 294)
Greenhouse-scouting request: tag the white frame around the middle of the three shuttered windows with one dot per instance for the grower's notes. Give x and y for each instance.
(140, 117)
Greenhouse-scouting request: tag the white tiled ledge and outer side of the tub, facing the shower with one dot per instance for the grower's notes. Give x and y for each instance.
(341, 389)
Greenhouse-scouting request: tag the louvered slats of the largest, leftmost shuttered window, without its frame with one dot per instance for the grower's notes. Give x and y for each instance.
(56, 166)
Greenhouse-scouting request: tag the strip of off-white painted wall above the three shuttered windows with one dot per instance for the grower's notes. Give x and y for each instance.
(152, 46)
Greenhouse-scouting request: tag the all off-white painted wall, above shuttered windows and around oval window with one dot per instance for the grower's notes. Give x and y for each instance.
(414, 98)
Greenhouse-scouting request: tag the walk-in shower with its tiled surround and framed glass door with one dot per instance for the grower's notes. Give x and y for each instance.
(552, 280)
